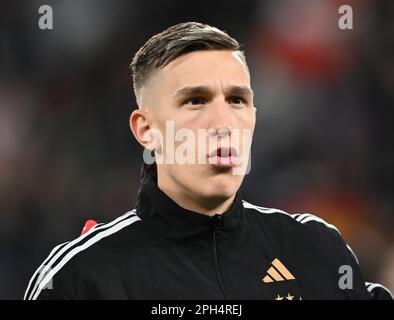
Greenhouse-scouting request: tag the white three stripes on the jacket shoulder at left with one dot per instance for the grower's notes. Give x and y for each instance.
(64, 252)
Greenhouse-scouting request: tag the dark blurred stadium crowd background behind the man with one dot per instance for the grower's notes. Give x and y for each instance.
(323, 142)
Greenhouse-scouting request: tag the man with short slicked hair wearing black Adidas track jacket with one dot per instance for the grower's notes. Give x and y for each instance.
(191, 235)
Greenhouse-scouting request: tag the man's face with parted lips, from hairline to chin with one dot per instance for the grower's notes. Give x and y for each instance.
(203, 90)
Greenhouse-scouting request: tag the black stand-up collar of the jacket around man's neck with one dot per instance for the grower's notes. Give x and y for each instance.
(174, 222)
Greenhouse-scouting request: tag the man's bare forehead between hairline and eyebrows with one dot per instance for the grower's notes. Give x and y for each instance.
(207, 68)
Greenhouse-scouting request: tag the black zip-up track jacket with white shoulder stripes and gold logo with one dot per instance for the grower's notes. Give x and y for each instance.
(162, 251)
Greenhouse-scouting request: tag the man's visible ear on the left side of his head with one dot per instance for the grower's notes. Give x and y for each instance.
(140, 126)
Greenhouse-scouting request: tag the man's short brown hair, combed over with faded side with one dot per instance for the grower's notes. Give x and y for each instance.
(173, 42)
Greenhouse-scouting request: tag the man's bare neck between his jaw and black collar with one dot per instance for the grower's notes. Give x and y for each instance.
(186, 199)
